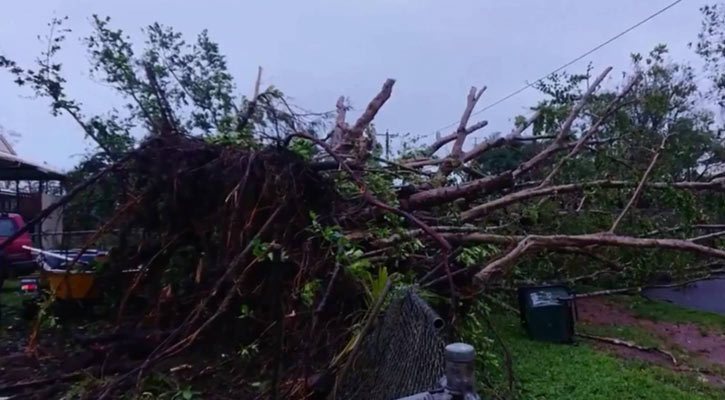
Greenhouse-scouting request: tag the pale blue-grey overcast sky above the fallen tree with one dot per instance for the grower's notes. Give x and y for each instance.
(315, 51)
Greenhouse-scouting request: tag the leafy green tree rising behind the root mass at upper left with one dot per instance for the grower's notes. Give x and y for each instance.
(168, 84)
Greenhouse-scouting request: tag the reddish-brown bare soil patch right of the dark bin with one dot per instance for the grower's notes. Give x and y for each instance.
(705, 350)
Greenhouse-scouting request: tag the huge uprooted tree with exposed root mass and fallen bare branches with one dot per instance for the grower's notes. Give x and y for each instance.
(276, 228)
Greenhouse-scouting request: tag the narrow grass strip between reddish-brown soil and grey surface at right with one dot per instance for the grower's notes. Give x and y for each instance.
(662, 311)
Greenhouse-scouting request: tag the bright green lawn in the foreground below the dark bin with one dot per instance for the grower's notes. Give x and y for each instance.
(577, 372)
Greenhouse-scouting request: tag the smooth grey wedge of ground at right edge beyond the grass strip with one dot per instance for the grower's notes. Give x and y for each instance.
(705, 295)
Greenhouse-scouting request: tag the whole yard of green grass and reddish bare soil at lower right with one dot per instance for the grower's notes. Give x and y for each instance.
(594, 370)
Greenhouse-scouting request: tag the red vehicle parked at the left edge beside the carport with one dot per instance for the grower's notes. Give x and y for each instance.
(14, 259)
